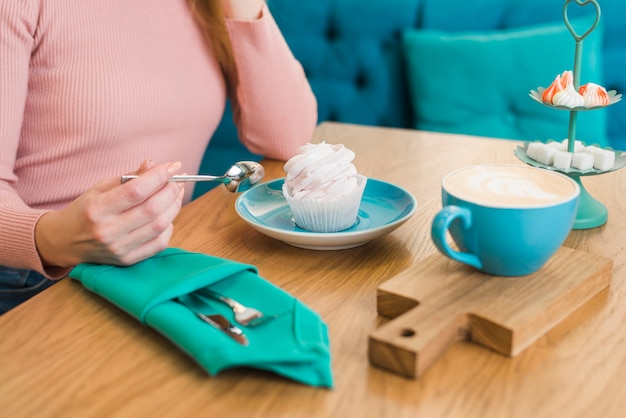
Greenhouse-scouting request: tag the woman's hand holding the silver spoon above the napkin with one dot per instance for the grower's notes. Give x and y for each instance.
(113, 223)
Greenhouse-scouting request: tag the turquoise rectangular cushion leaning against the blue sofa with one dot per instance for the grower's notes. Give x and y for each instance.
(477, 83)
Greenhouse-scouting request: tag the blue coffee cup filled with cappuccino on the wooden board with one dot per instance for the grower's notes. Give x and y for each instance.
(505, 219)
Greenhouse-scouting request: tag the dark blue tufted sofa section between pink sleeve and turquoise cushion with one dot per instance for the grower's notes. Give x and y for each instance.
(352, 56)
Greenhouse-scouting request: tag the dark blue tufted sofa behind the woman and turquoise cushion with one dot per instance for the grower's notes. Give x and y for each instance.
(353, 55)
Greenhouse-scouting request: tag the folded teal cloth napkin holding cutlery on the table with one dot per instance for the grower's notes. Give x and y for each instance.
(160, 292)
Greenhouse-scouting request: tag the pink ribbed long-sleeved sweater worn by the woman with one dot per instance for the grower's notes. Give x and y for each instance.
(89, 89)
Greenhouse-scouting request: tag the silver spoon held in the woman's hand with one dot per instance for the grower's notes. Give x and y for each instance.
(239, 177)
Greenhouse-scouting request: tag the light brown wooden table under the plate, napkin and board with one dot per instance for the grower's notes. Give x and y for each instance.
(69, 353)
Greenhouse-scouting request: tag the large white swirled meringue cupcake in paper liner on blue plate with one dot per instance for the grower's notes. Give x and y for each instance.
(323, 188)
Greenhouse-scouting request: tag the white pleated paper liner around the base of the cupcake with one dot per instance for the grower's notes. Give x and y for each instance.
(327, 216)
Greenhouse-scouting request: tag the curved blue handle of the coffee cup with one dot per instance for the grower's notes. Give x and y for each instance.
(441, 224)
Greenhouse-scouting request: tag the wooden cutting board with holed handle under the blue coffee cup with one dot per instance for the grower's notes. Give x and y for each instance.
(440, 301)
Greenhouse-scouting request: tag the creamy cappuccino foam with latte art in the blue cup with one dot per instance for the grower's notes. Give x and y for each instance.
(512, 186)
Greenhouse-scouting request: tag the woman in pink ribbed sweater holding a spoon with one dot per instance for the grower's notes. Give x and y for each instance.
(91, 90)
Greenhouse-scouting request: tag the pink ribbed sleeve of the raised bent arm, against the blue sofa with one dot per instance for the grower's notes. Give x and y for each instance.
(274, 107)
